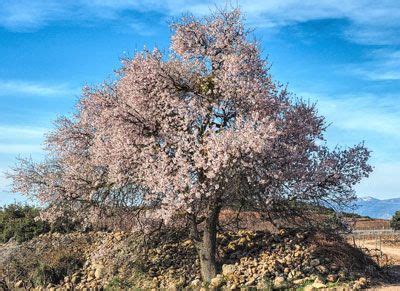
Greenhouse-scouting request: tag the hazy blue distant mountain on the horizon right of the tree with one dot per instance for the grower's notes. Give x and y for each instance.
(377, 208)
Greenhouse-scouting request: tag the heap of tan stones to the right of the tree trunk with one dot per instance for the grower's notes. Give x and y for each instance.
(282, 261)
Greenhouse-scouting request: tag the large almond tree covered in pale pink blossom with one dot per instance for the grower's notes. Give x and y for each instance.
(191, 133)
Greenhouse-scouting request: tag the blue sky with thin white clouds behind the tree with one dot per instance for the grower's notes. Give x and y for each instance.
(343, 54)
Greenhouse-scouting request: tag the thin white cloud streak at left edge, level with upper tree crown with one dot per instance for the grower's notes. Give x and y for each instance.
(19, 87)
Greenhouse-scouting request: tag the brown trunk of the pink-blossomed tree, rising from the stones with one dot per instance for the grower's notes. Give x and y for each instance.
(208, 246)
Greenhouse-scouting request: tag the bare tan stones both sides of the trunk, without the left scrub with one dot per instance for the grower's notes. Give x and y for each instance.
(250, 259)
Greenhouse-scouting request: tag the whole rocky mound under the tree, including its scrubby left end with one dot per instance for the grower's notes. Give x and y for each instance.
(168, 260)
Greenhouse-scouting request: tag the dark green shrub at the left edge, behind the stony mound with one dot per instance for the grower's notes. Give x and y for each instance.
(18, 221)
